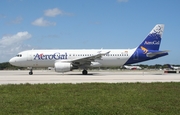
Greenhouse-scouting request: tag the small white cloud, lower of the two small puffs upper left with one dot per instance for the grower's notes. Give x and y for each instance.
(42, 22)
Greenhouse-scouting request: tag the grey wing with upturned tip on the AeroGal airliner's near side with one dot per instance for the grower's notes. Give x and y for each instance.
(86, 61)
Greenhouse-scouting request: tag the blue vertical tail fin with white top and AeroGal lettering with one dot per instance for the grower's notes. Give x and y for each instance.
(153, 40)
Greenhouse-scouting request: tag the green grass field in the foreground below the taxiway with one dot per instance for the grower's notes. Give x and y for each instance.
(91, 99)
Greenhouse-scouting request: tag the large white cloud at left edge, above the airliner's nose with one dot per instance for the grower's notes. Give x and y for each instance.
(10, 45)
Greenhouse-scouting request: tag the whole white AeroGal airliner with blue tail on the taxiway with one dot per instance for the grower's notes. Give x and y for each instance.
(70, 59)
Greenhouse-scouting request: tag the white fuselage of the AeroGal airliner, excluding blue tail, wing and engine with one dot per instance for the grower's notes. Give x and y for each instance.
(47, 58)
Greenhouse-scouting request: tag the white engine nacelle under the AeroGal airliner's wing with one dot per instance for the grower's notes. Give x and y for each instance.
(62, 67)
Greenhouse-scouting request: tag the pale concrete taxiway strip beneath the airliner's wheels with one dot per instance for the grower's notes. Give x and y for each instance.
(46, 76)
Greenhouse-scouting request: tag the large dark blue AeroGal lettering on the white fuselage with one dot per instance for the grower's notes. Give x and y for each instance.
(55, 56)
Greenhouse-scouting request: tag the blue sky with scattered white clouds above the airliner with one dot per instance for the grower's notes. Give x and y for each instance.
(87, 24)
